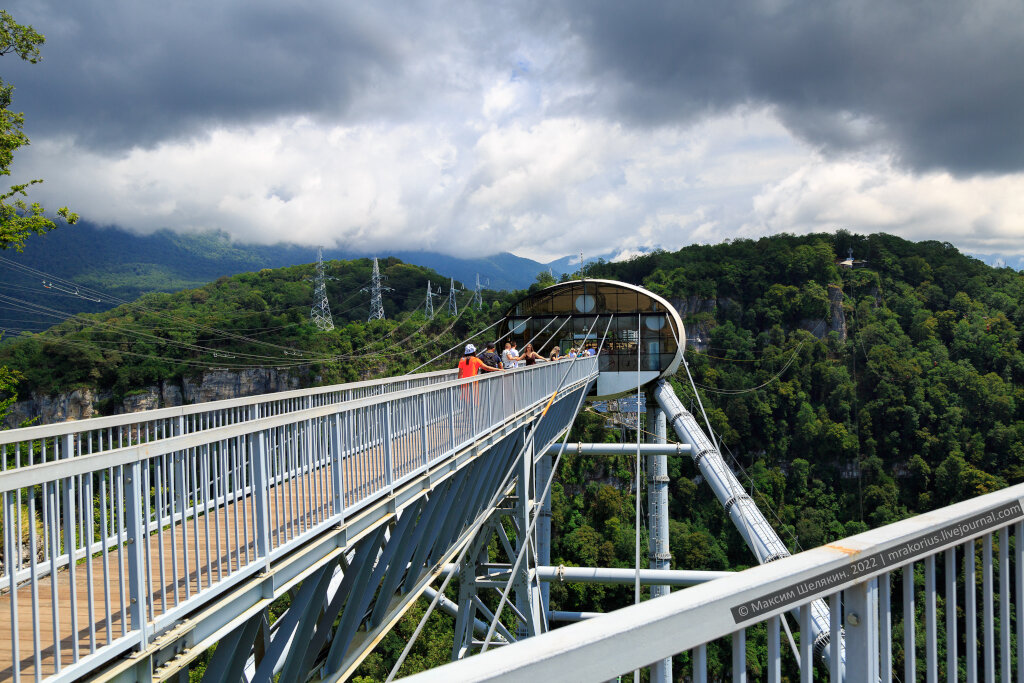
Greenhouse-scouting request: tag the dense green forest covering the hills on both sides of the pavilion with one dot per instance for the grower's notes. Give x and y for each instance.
(846, 399)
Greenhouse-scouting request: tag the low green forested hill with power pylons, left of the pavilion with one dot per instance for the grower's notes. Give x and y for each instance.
(249, 321)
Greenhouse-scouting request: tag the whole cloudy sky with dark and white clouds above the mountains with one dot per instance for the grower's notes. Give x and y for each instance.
(542, 129)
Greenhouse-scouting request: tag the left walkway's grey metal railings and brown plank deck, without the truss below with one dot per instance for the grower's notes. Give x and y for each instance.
(148, 517)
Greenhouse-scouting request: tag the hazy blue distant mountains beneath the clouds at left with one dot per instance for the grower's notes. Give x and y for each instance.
(125, 266)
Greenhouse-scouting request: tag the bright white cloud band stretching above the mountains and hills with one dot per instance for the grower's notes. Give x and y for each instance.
(544, 189)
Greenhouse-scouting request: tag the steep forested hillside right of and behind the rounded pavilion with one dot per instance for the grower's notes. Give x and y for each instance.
(920, 406)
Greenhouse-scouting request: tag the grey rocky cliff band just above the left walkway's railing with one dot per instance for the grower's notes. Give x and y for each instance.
(212, 386)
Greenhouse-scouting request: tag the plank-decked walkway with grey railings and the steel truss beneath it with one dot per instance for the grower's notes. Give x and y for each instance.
(133, 543)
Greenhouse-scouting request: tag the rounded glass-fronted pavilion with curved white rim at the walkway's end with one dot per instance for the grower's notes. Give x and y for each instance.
(646, 338)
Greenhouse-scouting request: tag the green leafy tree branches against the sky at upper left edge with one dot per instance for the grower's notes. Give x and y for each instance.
(19, 219)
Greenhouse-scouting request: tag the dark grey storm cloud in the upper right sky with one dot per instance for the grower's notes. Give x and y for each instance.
(940, 84)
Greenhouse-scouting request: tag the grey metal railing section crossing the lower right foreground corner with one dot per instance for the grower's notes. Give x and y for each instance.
(935, 597)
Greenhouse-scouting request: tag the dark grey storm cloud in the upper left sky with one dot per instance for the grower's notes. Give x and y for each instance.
(121, 74)
